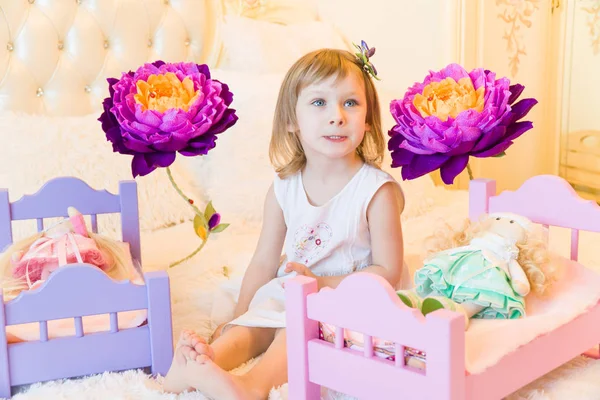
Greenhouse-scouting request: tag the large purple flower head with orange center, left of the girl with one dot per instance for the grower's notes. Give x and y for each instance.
(162, 109)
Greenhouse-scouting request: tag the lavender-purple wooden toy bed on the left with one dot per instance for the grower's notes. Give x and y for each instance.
(87, 323)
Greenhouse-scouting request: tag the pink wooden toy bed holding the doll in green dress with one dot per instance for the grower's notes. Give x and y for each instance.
(491, 360)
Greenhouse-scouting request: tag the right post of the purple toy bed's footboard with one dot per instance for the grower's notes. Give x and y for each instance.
(159, 321)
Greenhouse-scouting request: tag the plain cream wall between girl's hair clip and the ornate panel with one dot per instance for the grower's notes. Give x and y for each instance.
(411, 36)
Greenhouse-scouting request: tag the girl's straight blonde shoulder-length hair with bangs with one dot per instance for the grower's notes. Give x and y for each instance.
(285, 150)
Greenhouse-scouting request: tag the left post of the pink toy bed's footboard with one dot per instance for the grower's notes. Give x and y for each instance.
(300, 330)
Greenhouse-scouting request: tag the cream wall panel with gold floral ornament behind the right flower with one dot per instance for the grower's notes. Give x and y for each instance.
(515, 39)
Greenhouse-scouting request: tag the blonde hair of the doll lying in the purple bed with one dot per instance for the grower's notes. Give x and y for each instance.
(111, 249)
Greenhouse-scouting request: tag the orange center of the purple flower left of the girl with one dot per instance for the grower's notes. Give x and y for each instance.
(165, 92)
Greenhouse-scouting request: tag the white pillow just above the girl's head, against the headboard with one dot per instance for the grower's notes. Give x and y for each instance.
(259, 46)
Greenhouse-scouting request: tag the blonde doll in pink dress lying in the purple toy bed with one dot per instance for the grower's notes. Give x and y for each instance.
(27, 264)
